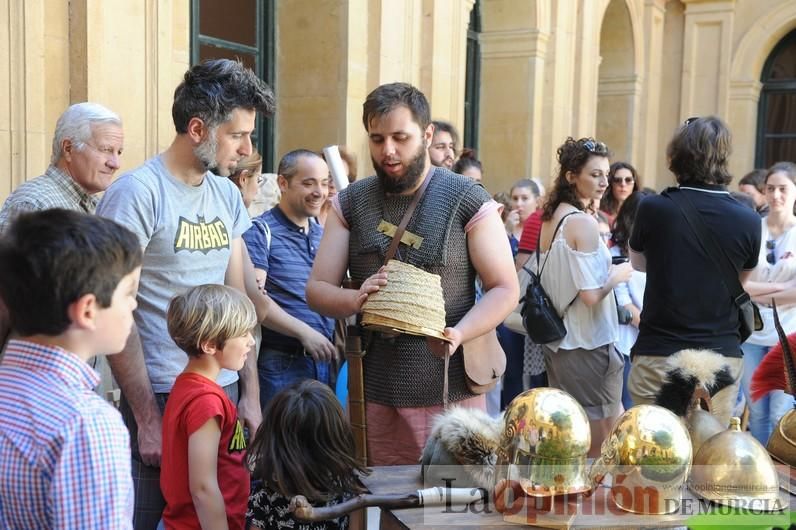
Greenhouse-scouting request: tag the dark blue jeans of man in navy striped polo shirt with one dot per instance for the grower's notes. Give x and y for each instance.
(278, 370)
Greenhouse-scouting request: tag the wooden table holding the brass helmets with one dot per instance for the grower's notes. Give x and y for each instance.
(405, 479)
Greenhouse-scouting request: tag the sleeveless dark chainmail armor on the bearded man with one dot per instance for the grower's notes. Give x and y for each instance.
(401, 371)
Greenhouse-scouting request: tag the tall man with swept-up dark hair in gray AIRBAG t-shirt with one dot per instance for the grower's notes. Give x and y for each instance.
(190, 224)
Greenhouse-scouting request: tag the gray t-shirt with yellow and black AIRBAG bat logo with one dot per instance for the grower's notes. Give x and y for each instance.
(186, 233)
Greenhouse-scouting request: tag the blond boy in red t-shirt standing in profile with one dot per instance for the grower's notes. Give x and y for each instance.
(202, 477)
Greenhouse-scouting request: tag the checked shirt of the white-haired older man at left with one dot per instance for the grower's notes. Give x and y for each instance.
(54, 189)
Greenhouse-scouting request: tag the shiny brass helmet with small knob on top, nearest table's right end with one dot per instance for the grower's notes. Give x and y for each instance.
(734, 469)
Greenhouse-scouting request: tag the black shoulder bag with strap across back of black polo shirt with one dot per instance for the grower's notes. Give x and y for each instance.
(749, 319)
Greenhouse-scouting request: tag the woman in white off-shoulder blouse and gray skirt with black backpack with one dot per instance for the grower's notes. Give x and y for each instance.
(579, 279)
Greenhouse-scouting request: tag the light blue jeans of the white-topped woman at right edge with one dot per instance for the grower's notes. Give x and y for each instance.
(766, 412)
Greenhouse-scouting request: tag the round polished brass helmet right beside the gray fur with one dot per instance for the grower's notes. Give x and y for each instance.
(544, 444)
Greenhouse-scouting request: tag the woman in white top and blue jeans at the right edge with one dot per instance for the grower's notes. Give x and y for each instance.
(776, 264)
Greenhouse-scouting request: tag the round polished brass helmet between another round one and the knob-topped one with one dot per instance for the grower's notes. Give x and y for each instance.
(648, 455)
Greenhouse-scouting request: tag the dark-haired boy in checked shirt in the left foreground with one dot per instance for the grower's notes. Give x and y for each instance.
(69, 281)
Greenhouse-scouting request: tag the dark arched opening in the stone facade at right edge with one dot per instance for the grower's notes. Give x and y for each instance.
(776, 130)
